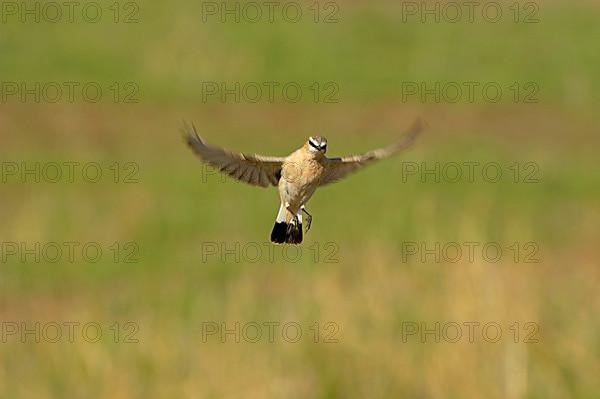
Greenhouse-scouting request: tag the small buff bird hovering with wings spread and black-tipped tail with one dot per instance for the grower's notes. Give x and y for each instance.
(297, 176)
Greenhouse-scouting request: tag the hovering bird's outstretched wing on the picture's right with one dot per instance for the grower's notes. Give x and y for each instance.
(338, 168)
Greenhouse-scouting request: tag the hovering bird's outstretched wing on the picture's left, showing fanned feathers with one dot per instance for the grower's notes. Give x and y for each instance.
(253, 169)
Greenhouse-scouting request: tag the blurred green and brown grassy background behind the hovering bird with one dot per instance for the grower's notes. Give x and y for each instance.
(176, 210)
